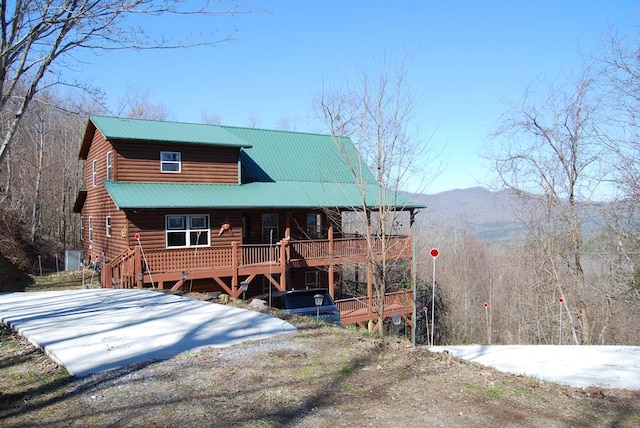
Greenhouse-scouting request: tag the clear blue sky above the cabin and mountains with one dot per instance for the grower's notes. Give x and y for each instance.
(468, 59)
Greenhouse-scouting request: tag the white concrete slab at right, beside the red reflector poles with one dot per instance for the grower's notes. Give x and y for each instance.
(580, 366)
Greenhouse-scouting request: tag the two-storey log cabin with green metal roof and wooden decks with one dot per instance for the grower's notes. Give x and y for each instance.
(184, 206)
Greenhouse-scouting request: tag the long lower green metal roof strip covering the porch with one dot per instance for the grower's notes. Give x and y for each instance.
(288, 194)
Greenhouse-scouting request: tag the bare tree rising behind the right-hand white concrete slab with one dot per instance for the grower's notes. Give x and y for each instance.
(551, 153)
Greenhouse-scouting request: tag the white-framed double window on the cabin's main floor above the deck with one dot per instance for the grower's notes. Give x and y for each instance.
(187, 231)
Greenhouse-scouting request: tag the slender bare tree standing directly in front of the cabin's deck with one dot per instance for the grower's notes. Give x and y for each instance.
(378, 113)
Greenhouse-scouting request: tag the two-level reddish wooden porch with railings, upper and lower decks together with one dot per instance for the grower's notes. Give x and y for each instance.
(227, 267)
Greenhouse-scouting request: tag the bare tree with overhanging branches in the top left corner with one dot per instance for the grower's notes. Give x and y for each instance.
(35, 35)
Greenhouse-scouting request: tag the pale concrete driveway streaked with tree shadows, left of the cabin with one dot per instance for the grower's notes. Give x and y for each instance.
(93, 330)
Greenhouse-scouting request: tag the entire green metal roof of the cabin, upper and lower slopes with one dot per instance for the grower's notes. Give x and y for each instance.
(279, 169)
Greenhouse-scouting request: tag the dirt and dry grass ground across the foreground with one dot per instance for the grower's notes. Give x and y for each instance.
(320, 376)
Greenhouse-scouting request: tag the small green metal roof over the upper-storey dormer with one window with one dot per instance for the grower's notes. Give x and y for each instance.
(119, 128)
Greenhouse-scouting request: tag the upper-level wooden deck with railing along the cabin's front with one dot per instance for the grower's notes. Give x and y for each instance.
(227, 266)
